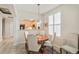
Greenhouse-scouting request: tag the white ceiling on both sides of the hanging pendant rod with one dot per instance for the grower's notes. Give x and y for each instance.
(33, 8)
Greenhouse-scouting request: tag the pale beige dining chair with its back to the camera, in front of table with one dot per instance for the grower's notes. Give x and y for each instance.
(33, 46)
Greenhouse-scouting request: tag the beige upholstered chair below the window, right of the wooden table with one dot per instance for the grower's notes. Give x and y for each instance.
(57, 43)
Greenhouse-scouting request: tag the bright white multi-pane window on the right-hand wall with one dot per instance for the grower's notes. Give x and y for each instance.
(55, 24)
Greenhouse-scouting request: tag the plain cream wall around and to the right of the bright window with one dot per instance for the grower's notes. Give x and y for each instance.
(69, 19)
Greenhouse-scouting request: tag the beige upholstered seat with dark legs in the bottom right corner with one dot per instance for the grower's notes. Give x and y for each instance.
(71, 43)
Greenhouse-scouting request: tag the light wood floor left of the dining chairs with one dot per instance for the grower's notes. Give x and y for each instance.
(7, 47)
